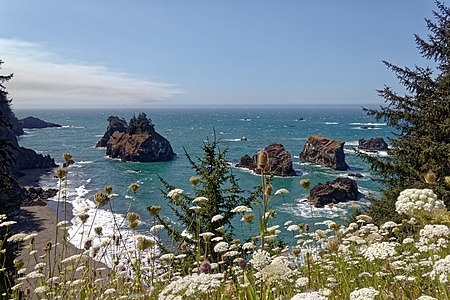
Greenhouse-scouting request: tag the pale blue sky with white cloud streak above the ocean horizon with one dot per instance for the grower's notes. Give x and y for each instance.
(189, 53)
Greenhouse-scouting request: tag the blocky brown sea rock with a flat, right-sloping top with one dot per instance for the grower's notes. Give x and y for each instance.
(325, 152)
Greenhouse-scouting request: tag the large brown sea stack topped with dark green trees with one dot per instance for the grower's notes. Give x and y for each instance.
(137, 141)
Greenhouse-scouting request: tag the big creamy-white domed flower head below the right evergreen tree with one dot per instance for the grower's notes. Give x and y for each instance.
(414, 202)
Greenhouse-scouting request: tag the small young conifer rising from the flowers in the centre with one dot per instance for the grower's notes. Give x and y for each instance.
(218, 185)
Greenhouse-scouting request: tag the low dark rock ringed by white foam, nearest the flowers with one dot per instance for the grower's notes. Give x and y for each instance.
(339, 190)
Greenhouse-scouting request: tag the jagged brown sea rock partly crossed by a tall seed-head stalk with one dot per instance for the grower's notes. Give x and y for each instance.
(279, 160)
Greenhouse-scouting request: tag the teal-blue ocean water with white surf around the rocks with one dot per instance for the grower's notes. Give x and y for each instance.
(188, 129)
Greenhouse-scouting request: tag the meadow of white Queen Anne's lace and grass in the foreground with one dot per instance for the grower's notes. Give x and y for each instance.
(405, 260)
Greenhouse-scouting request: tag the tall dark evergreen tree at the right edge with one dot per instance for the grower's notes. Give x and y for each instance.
(421, 118)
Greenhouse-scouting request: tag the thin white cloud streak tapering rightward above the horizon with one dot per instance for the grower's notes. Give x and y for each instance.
(41, 81)
